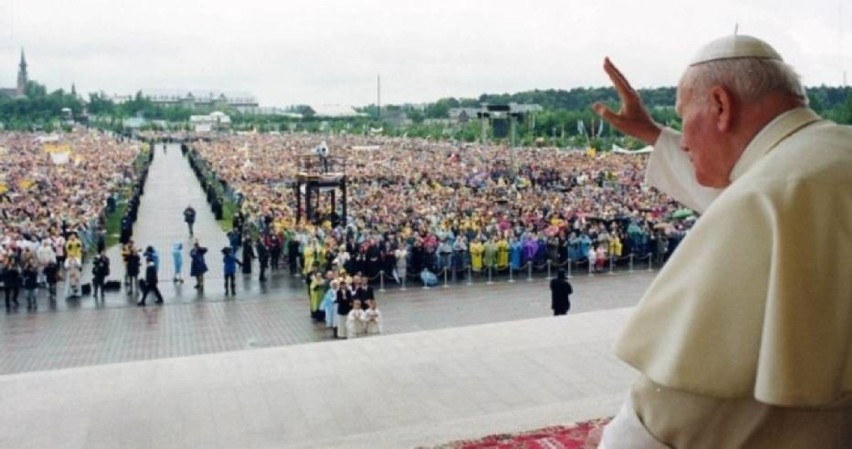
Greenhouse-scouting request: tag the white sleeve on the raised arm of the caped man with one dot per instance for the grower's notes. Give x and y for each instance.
(670, 170)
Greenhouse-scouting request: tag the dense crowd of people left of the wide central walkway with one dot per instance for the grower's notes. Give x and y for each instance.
(55, 192)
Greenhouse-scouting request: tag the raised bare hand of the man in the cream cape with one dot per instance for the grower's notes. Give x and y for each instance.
(632, 118)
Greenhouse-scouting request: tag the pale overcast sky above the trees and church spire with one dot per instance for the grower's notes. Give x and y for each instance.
(330, 51)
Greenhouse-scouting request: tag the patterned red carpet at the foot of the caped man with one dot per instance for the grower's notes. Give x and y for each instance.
(573, 436)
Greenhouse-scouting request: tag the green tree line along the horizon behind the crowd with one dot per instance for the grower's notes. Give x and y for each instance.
(556, 123)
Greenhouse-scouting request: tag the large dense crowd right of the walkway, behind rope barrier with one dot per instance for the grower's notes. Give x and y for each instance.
(420, 207)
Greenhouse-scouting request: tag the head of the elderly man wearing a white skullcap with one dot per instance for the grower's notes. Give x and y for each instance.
(732, 90)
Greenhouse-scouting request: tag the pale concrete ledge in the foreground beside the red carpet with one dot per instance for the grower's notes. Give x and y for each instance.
(392, 391)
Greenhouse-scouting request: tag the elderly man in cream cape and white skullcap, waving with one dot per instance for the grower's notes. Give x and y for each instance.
(744, 337)
